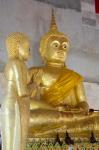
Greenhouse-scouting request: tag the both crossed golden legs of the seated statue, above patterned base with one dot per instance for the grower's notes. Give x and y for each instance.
(46, 123)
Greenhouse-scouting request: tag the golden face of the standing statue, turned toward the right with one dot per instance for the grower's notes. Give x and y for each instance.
(24, 50)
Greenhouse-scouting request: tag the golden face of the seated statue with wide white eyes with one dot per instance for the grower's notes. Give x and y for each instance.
(57, 48)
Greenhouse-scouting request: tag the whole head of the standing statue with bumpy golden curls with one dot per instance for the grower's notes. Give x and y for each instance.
(18, 46)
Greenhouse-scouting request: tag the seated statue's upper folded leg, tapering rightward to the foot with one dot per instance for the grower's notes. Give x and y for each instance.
(42, 120)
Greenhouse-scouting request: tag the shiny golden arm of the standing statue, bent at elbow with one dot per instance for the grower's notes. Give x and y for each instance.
(20, 83)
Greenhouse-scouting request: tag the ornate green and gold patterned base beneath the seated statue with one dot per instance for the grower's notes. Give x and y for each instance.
(48, 144)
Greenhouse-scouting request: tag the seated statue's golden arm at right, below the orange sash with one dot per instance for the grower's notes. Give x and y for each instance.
(81, 98)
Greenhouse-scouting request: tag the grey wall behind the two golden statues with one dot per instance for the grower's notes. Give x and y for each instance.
(33, 18)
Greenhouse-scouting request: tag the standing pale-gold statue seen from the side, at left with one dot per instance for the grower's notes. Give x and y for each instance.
(15, 107)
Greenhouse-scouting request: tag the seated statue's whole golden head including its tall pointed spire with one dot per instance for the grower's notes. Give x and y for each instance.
(54, 45)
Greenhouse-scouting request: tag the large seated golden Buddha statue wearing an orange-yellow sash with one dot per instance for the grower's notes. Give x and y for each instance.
(59, 103)
